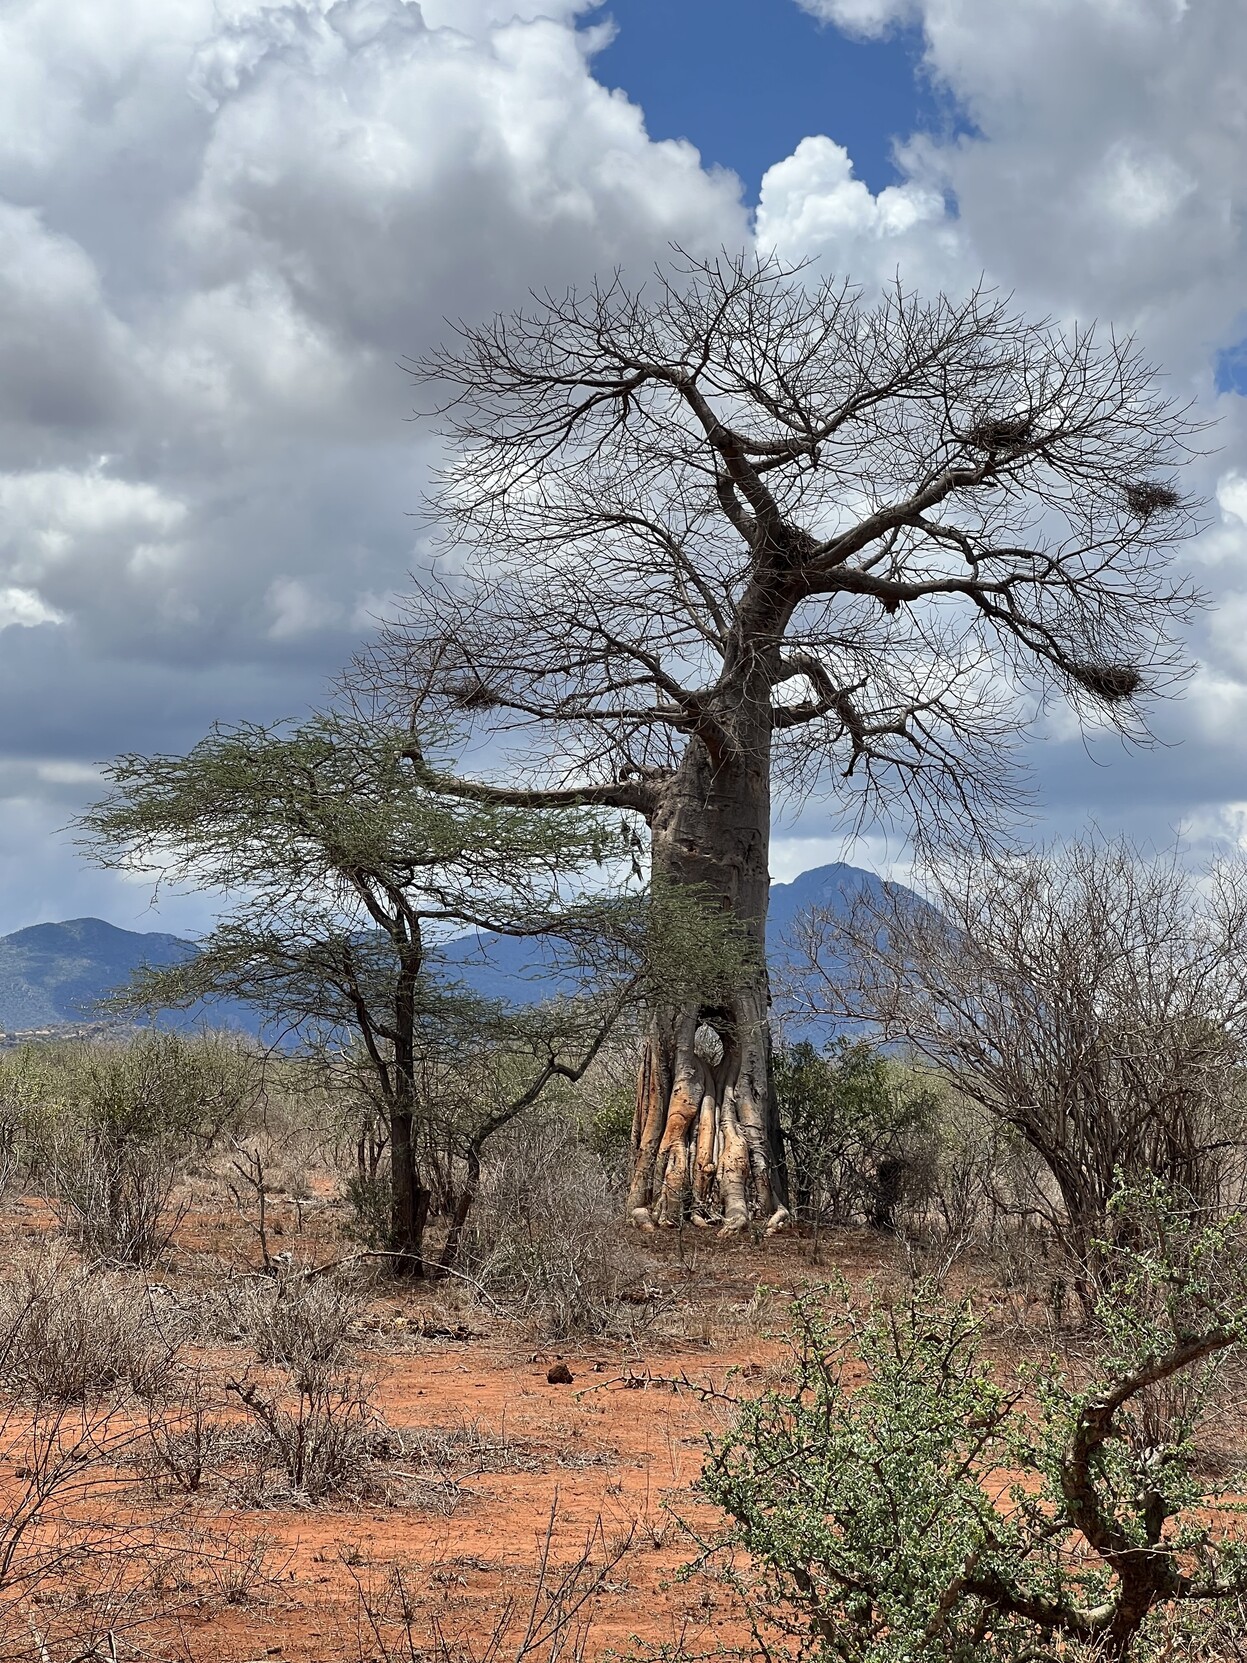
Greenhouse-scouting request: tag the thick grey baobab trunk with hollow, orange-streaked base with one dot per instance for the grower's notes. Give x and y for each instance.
(706, 1135)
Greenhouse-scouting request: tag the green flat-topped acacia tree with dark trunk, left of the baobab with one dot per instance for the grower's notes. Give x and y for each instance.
(340, 872)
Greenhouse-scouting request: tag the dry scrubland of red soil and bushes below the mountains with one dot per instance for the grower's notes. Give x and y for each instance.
(940, 1404)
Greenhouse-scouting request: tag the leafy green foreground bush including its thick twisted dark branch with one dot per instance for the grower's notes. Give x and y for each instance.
(899, 1504)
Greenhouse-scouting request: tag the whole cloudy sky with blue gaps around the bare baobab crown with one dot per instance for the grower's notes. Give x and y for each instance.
(225, 224)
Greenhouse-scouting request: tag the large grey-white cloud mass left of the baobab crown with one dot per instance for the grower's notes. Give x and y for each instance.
(224, 225)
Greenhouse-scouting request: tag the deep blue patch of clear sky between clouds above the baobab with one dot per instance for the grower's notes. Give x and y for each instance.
(746, 81)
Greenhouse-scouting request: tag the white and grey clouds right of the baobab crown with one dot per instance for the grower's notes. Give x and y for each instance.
(1107, 177)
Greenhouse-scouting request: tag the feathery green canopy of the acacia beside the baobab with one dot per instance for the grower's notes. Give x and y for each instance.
(342, 867)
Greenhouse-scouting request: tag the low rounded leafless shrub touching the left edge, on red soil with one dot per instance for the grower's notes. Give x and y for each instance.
(77, 1338)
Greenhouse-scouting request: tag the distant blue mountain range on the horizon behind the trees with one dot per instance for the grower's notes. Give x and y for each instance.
(54, 975)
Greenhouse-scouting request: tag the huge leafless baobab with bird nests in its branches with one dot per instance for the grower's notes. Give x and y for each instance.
(742, 528)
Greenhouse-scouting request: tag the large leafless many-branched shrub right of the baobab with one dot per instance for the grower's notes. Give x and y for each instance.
(1090, 999)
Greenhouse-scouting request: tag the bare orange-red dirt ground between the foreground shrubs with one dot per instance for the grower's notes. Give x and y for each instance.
(608, 1461)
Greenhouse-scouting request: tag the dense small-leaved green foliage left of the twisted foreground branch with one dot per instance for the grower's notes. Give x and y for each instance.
(854, 1504)
